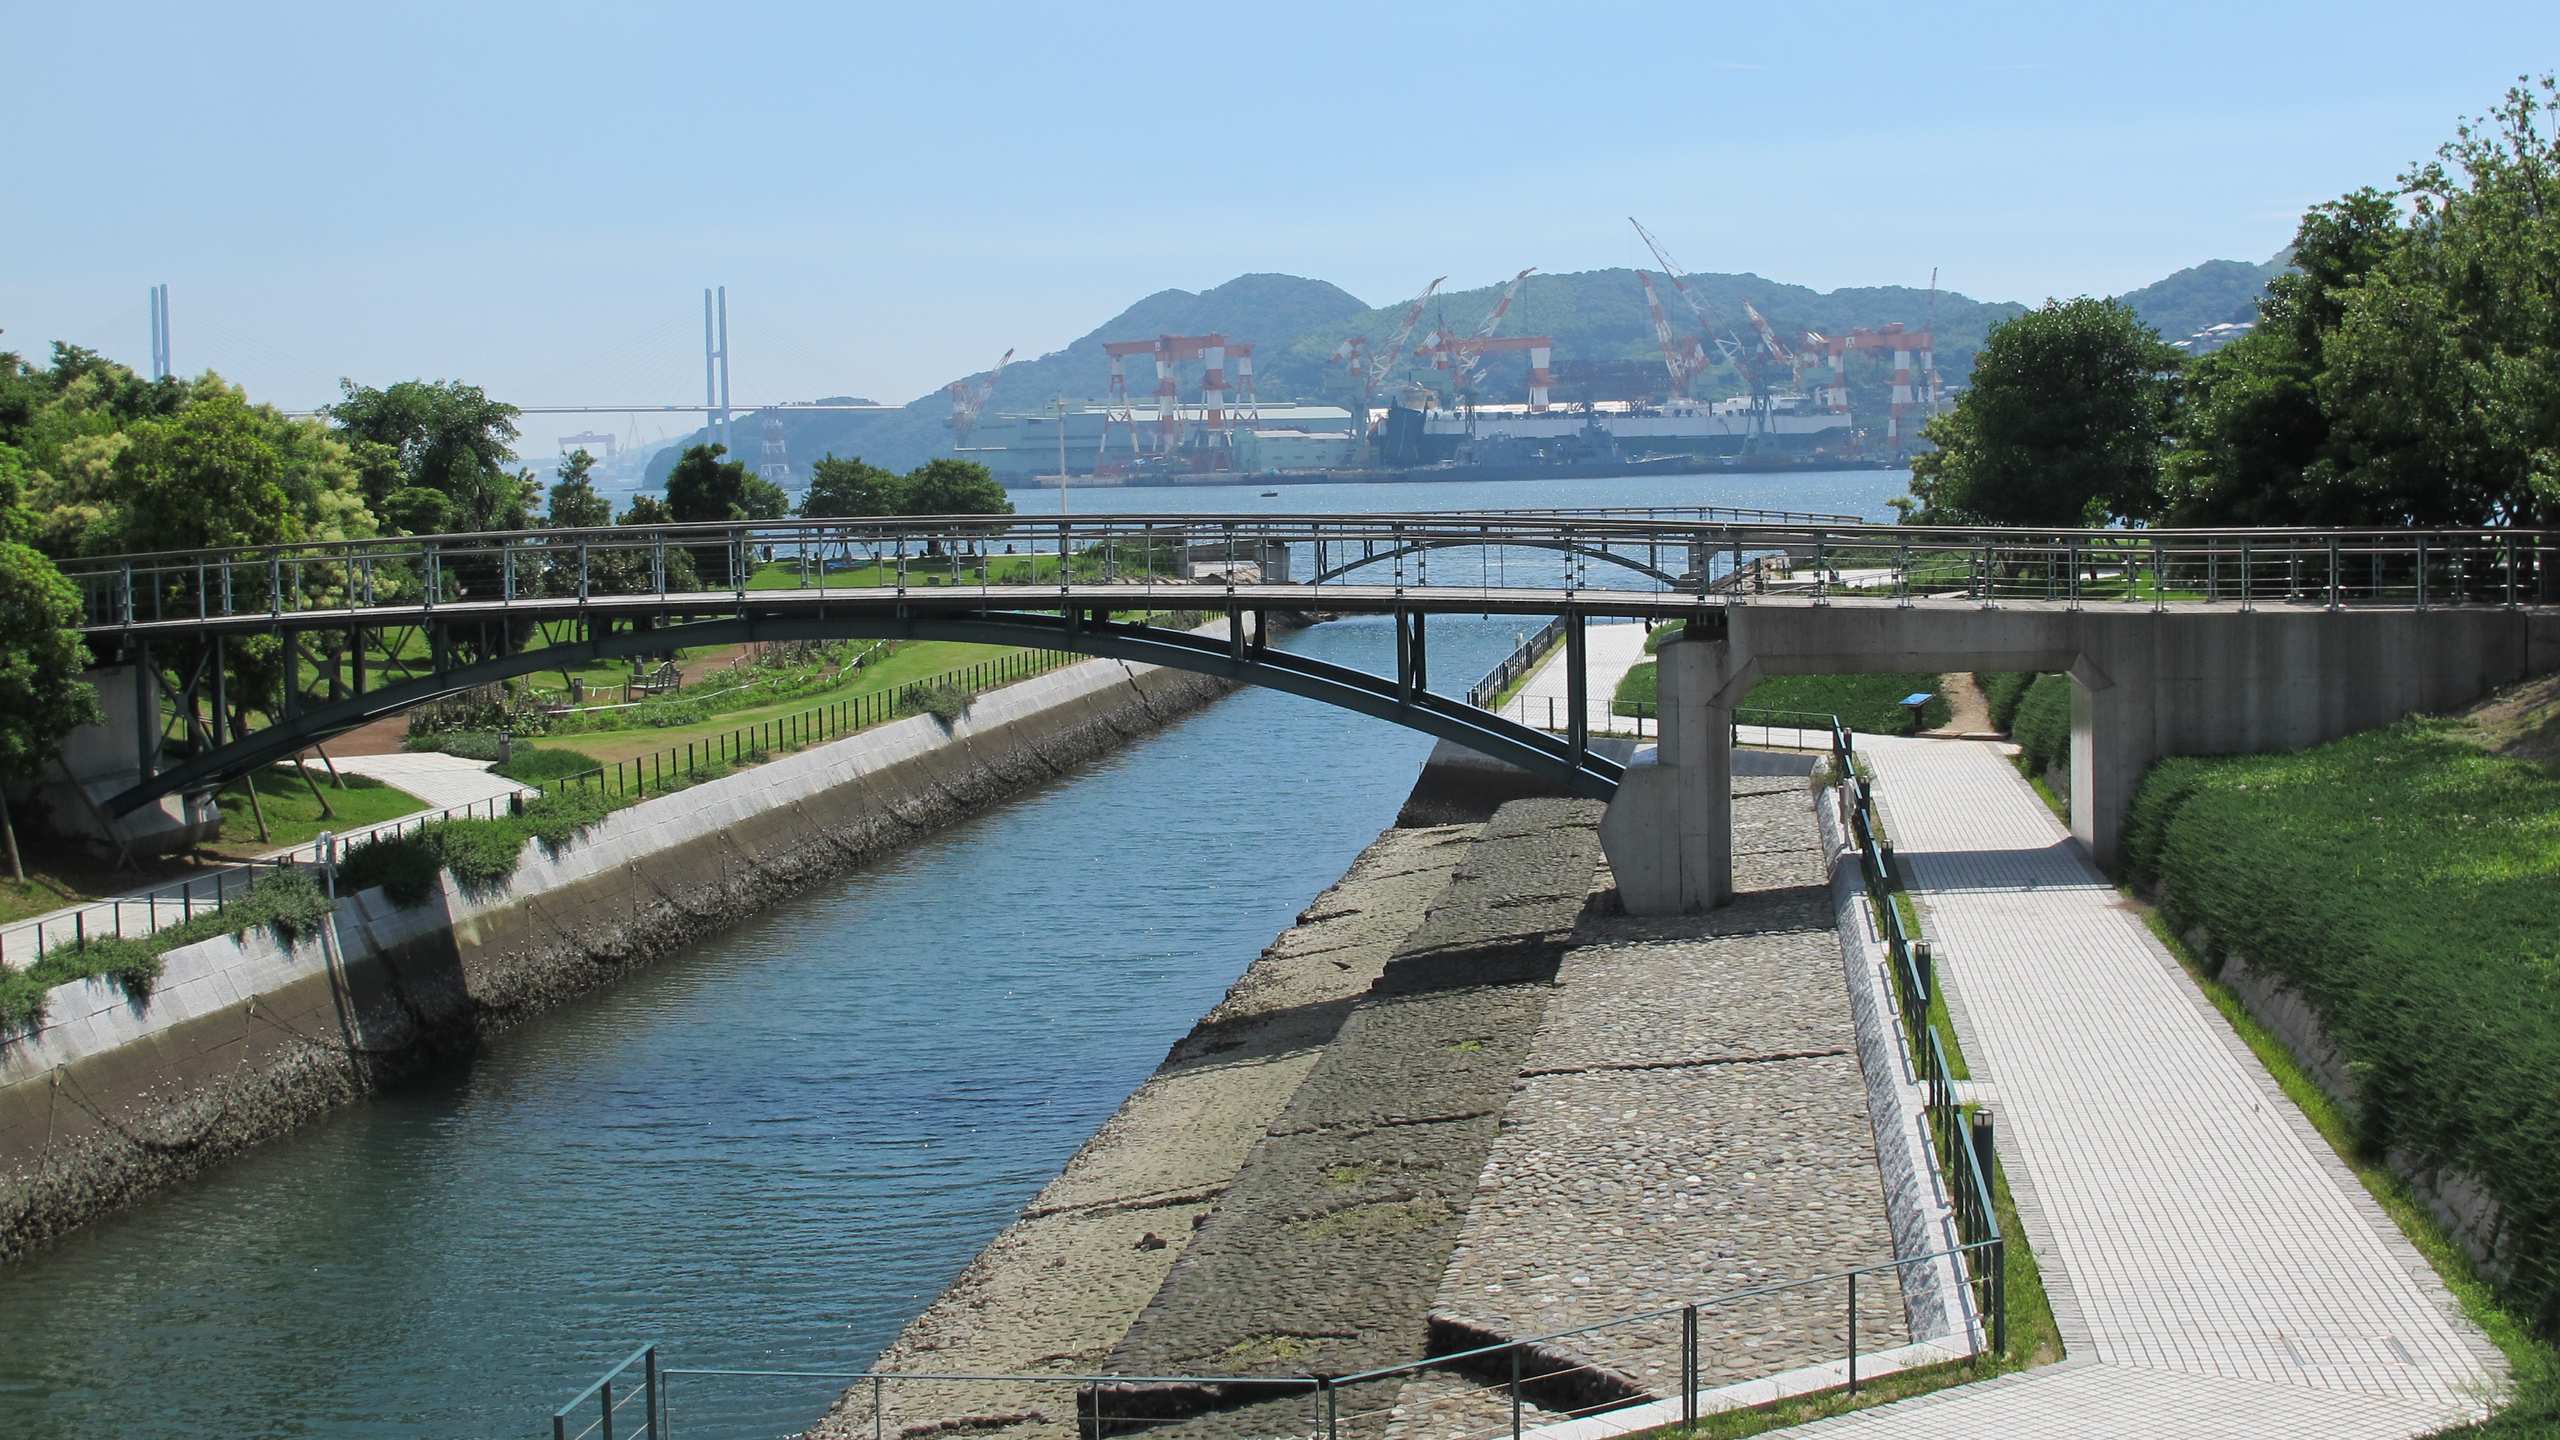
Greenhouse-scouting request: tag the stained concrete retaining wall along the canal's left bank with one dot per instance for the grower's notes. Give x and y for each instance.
(250, 1036)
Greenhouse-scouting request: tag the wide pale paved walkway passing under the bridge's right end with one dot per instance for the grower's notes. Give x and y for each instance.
(2216, 1270)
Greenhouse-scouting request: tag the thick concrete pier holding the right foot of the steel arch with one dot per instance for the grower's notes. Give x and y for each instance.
(1670, 829)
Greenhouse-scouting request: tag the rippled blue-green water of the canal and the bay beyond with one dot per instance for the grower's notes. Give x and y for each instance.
(777, 1149)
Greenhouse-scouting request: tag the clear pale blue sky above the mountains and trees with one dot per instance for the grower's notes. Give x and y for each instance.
(534, 196)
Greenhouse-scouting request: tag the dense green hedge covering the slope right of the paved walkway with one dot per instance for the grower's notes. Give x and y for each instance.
(2410, 888)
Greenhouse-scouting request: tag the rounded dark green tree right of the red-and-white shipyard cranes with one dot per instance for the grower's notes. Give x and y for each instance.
(2062, 424)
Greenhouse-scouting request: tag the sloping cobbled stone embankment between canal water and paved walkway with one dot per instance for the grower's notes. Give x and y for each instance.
(1489, 1111)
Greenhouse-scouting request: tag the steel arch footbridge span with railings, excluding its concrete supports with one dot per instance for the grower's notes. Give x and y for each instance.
(332, 629)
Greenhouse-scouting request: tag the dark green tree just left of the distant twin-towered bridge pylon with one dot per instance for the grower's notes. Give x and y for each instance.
(436, 437)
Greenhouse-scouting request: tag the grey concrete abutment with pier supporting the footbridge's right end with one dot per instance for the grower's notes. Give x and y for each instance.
(2147, 685)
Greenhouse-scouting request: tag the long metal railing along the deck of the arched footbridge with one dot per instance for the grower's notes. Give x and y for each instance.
(1007, 557)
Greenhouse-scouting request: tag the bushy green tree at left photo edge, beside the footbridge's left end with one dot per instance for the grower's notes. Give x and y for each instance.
(42, 696)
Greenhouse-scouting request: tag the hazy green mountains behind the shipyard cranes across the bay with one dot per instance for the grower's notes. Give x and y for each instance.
(1599, 322)
